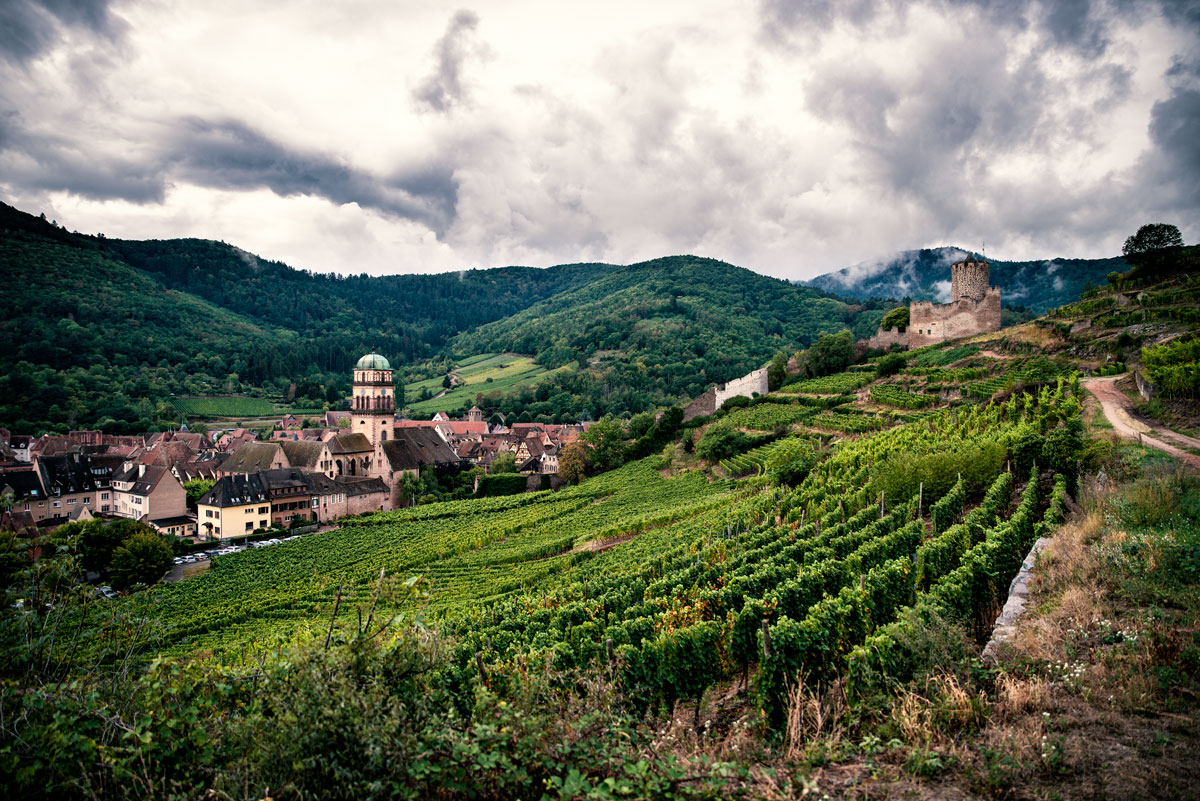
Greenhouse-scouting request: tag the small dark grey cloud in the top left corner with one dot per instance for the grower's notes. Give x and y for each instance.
(28, 28)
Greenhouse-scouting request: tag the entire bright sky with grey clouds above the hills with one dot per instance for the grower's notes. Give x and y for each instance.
(789, 137)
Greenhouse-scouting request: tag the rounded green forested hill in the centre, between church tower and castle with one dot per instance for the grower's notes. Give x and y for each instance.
(667, 329)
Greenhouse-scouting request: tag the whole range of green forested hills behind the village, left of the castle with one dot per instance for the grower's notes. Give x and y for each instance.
(101, 333)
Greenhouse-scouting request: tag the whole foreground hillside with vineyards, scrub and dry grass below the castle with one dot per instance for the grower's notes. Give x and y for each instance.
(844, 558)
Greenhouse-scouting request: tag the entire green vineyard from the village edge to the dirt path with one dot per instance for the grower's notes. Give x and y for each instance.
(674, 577)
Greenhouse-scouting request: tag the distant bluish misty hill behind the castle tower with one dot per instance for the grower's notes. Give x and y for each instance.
(926, 275)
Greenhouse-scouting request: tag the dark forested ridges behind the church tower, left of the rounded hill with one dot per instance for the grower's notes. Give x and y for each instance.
(101, 333)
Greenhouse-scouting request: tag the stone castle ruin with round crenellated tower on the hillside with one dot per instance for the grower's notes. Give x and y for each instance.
(974, 309)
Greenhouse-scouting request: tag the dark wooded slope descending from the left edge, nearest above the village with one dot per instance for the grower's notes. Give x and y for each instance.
(89, 341)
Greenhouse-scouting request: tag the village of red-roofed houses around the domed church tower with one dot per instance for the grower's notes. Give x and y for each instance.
(357, 462)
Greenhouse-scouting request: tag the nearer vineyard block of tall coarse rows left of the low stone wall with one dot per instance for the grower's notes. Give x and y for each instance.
(825, 564)
